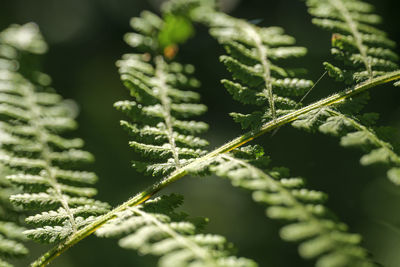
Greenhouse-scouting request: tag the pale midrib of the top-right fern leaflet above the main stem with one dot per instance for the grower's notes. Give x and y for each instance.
(354, 30)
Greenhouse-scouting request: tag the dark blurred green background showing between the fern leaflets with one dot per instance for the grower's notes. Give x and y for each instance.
(85, 38)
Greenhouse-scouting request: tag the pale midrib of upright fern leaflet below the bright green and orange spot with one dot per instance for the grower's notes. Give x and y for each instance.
(166, 103)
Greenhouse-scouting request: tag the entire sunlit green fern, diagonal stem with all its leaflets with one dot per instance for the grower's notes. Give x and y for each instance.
(166, 138)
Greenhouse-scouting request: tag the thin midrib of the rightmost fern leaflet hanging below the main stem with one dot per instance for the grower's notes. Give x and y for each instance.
(371, 135)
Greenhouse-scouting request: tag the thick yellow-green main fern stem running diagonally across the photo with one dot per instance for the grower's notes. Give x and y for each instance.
(237, 142)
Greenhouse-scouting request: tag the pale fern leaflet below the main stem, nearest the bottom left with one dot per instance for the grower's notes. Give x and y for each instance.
(156, 228)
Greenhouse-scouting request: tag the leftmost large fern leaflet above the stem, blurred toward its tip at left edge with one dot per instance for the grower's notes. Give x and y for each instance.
(32, 119)
